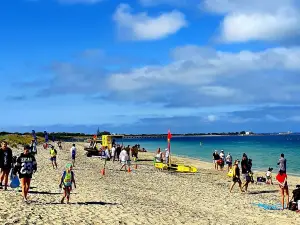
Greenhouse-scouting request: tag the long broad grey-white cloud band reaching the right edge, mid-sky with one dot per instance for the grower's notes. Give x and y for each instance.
(222, 78)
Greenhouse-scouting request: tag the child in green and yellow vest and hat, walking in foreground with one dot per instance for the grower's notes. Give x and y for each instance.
(66, 181)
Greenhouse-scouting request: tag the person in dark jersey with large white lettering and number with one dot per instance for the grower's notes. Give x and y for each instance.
(25, 166)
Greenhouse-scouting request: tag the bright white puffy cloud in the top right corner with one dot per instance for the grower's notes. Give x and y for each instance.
(269, 20)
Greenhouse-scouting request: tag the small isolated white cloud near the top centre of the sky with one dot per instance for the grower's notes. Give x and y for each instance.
(141, 26)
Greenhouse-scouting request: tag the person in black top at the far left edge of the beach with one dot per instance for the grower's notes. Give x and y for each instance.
(6, 159)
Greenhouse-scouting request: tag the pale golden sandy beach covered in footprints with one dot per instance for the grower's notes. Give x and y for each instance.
(143, 196)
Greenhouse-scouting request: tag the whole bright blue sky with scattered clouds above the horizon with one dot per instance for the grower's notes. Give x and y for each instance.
(144, 66)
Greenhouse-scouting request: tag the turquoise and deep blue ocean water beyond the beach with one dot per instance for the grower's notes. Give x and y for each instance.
(263, 150)
